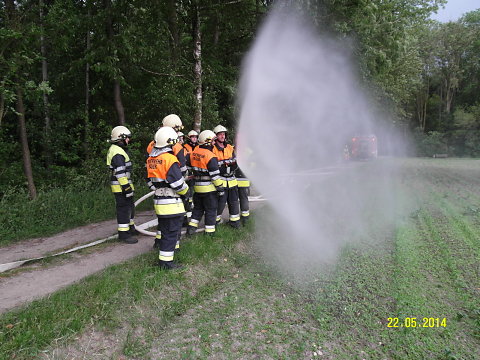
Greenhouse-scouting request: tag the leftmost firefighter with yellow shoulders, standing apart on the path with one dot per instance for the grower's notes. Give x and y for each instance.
(120, 165)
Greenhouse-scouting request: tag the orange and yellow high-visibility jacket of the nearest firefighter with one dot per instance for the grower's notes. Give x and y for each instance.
(163, 172)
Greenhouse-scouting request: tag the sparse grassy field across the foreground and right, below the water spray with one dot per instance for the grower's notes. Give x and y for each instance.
(409, 291)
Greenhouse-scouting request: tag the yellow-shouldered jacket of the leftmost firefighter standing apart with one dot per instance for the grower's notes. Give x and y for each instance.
(120, 165)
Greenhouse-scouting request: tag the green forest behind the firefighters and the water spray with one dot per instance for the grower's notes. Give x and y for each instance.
(72, 70)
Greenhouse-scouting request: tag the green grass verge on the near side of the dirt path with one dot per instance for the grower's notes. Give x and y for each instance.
(25, 332)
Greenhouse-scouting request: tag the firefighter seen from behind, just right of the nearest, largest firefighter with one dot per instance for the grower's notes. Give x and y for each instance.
(208, 185)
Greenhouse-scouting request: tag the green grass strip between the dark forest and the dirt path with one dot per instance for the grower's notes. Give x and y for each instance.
(53, 211)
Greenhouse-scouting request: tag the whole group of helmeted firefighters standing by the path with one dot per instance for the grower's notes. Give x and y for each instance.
(198, 177)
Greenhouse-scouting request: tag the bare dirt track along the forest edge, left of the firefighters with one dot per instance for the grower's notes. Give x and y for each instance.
(35, 281)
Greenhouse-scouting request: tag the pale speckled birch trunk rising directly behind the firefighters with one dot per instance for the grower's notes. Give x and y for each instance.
(197, 54)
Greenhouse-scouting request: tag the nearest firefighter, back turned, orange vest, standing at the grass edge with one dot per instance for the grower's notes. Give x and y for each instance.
(163, 171)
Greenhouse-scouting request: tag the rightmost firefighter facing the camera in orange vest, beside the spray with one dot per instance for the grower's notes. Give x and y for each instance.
(227, 163)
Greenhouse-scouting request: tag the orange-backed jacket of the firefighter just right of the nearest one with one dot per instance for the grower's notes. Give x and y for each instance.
(204, 165)
